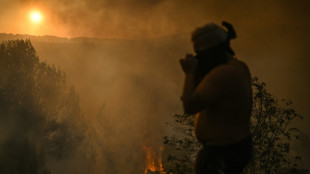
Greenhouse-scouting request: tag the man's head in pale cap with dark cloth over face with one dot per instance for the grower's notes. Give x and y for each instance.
(212, 46)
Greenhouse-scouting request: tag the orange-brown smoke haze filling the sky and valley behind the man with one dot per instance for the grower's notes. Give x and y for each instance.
(133, 72)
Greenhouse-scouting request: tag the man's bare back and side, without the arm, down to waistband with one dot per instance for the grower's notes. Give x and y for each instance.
(229, 120)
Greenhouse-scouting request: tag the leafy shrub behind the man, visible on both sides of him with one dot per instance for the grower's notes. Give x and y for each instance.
(272, 137)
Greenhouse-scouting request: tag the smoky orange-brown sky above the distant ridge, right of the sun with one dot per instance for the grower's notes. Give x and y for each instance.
(144, 19)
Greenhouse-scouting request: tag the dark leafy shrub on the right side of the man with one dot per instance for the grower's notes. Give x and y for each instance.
(272, 132)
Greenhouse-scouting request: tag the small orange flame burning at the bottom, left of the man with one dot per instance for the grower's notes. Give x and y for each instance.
(153, 162)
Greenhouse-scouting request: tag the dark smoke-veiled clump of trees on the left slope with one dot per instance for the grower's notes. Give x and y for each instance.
(40, 117)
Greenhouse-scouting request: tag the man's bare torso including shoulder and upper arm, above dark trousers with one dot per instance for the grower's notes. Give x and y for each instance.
(227, 101)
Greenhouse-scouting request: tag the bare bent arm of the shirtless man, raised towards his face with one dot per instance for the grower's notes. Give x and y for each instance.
(213, 88)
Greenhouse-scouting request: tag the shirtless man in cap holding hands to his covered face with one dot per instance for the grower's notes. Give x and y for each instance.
(218, 90)
